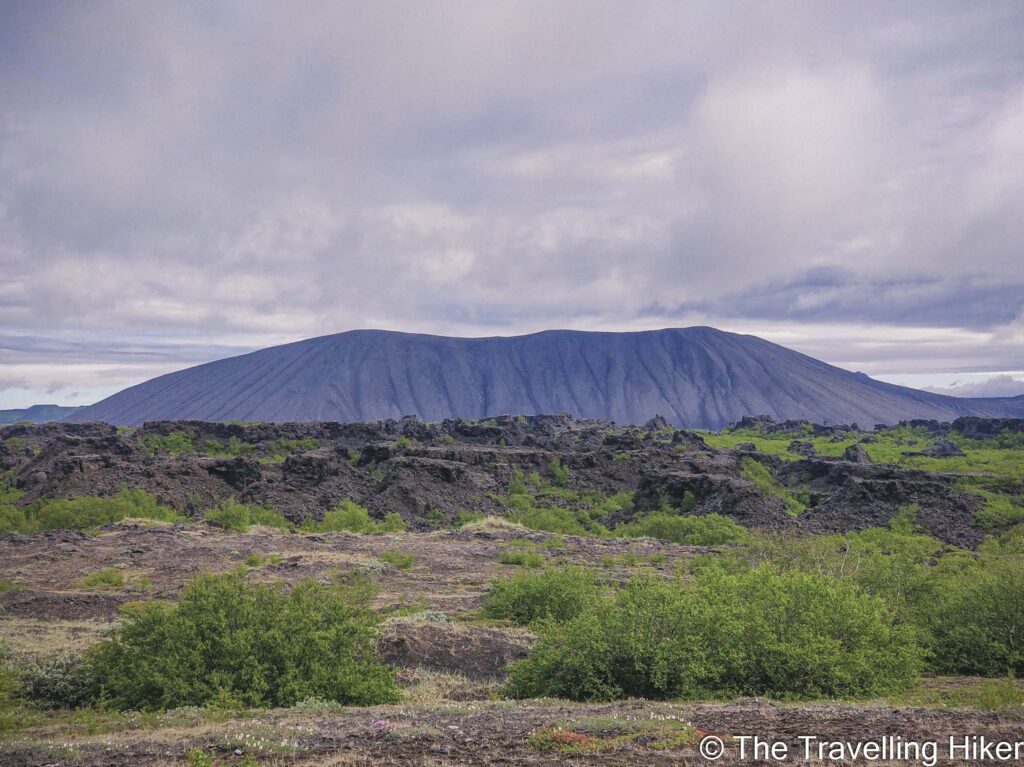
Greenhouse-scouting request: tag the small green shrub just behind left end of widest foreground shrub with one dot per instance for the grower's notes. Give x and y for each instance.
(561, 594)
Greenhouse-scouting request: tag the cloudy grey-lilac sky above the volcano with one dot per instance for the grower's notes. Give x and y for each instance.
(185, 182)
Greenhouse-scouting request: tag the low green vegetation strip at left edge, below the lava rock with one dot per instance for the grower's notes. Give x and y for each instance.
(81, 514)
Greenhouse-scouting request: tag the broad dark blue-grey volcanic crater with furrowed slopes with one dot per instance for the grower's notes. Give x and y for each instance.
(696, 377)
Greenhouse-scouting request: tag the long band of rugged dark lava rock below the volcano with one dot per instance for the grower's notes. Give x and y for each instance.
(432, 473)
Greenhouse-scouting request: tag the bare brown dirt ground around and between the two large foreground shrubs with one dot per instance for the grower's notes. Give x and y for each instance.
(450, 663)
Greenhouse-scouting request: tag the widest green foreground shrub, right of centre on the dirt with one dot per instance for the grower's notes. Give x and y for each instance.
(760, 632)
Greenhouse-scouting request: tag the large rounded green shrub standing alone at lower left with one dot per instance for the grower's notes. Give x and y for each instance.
(255, 645)
